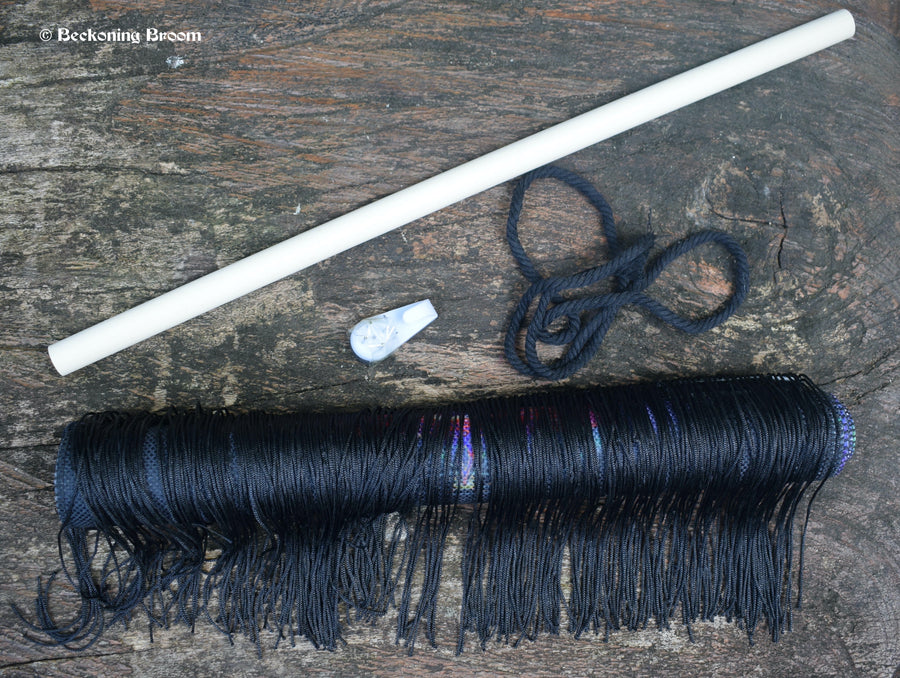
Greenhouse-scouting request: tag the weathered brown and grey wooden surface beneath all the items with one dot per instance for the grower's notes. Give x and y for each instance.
(122, 177)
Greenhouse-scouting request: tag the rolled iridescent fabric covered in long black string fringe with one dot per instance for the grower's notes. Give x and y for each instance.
(593, 510)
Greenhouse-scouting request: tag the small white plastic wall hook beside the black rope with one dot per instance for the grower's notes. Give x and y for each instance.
(375, 338)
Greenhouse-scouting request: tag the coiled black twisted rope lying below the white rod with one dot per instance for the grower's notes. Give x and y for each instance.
(586, 319)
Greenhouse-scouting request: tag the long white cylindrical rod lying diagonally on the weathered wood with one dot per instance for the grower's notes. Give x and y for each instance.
(431, 195)
